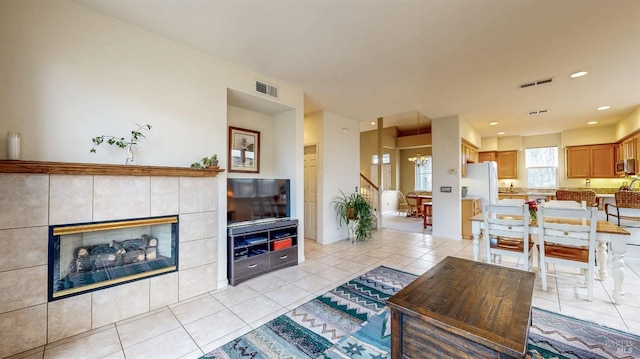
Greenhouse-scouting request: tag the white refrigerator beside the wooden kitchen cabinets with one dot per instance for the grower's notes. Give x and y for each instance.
(482, 181)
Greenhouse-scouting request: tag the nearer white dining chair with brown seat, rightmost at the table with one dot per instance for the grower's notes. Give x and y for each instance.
(567, 237)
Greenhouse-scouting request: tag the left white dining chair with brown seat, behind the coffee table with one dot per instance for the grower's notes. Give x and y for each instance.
(506, 232)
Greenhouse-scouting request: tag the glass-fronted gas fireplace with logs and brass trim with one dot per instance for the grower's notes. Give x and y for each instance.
(85, 257)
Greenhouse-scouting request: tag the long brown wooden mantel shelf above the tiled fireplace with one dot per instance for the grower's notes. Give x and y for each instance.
(68, 168)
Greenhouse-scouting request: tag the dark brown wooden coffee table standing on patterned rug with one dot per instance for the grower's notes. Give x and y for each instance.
(463, 309)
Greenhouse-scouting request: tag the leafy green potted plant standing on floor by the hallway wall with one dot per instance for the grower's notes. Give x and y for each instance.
(357, 213)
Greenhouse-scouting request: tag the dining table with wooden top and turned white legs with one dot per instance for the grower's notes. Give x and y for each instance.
(606, 233)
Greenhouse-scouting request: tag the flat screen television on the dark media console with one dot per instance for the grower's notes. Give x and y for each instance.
(254, 199)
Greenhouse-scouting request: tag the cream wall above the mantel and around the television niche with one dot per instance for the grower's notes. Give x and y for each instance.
(70, 74)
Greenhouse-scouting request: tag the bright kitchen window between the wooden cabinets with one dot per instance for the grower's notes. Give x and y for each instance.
(542, 167)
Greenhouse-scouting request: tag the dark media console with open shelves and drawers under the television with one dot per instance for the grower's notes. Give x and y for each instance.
(259, 247)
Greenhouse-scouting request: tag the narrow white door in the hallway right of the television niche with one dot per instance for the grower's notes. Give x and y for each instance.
(310, 192)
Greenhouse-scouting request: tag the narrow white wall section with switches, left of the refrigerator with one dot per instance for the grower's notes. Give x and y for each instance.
(447, 217)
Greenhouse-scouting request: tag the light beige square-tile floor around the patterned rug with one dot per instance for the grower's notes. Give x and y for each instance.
(191, 328)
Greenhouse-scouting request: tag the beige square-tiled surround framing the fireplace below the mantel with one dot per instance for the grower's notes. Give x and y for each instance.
(30, 202)
